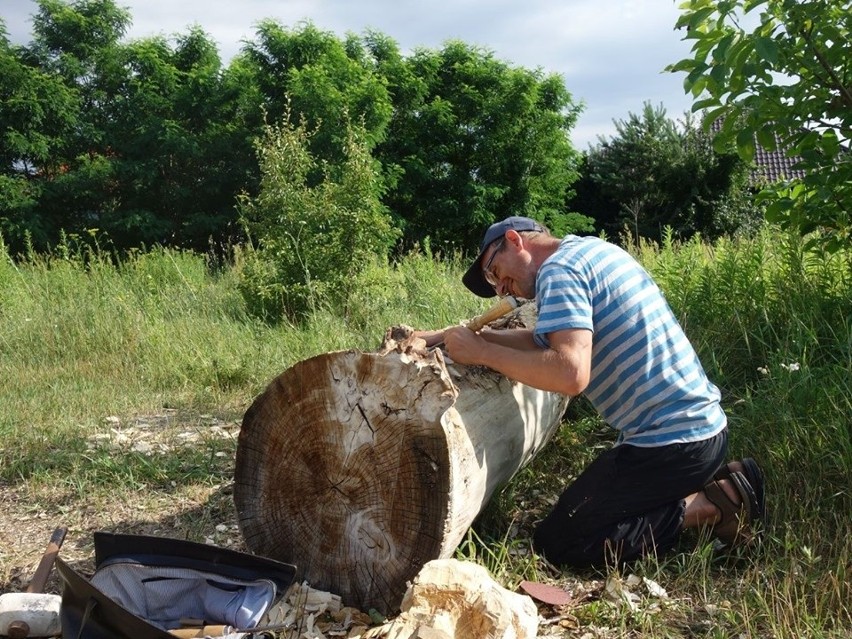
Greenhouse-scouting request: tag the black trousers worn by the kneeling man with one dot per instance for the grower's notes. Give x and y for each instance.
(629, 502)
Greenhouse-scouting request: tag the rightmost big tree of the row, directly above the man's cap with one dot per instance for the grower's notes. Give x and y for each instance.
(472, 140)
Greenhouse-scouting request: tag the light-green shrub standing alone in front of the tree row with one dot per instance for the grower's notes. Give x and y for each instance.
(313, 237)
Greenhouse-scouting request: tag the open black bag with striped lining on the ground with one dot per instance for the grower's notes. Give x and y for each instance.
(144, 586)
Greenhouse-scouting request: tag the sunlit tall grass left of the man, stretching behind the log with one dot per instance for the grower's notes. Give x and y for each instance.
(85, 336)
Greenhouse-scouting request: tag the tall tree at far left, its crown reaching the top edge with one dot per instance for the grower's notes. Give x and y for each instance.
(74, 45)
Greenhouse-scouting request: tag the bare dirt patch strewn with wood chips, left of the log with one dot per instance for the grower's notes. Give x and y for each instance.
(196, 510)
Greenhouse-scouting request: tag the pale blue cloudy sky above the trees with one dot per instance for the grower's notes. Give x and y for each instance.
(611, 53)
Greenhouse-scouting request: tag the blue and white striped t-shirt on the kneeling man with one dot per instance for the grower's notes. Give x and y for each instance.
(646, 380)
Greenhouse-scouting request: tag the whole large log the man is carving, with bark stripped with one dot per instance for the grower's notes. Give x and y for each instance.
(361, 467)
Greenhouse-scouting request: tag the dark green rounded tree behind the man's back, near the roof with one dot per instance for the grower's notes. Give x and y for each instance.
(655, 174)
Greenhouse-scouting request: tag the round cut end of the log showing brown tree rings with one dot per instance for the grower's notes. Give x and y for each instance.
(342, 470)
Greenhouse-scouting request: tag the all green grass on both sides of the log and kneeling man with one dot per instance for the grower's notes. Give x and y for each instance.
(85, 337)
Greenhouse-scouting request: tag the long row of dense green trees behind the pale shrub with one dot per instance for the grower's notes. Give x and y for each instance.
(151, 141)
